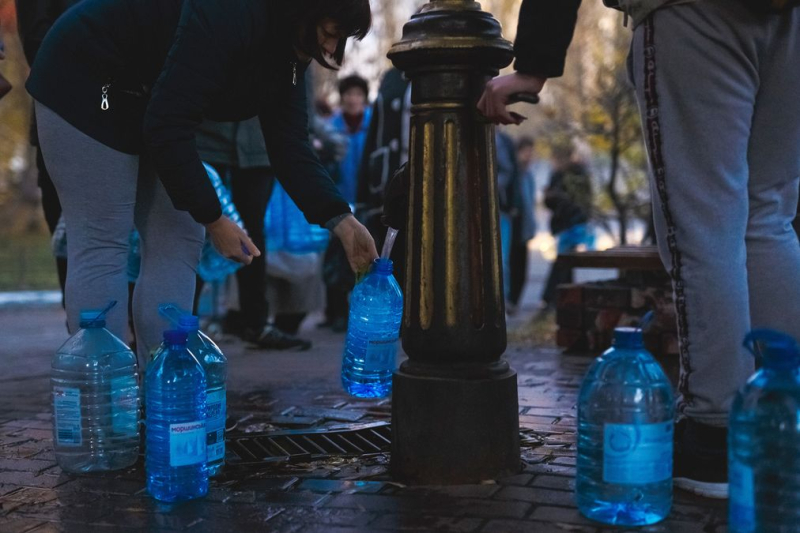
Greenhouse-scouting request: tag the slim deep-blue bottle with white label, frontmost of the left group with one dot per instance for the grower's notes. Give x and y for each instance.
(175, 386)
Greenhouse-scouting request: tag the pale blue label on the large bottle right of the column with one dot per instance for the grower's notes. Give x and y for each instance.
(637, 454)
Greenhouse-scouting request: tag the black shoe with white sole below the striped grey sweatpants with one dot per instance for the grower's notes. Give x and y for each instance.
(701, 459)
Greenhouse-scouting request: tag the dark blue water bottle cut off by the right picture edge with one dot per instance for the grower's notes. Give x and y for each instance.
(764, 440)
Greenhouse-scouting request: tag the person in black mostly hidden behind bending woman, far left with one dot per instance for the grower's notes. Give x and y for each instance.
(35, 18)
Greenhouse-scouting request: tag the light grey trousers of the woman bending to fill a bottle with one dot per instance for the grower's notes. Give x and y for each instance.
(103, 193)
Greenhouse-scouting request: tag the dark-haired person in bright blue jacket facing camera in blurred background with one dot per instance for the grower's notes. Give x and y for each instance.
(352, 120)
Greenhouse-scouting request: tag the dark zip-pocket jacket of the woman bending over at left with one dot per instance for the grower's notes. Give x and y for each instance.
(168, 65)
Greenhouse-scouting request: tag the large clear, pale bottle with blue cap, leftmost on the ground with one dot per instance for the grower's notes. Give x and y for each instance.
(95, 400)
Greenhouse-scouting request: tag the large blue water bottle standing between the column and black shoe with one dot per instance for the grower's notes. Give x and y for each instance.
(625, 436)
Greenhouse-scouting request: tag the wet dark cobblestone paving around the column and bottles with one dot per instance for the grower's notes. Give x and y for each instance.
(339, 496)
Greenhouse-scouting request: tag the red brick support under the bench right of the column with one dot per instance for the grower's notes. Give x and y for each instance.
(587, 314)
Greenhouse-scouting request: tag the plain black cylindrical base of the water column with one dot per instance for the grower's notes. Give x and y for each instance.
(451, 431)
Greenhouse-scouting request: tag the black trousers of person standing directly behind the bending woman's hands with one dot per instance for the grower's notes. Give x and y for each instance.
(251, 189)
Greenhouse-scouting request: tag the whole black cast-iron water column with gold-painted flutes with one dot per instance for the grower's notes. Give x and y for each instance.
(454, 407)
